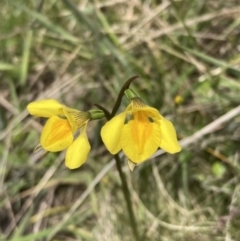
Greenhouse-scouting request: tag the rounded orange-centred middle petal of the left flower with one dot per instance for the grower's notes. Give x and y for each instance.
(56, 135)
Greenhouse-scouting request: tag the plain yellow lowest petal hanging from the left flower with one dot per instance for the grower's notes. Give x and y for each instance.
(77, 153)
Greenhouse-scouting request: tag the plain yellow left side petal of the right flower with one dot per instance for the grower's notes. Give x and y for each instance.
(111, 133)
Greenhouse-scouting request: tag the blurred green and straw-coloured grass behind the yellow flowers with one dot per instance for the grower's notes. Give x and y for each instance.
(80, 53)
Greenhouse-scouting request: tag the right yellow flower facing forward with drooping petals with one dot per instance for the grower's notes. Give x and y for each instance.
(139, 131)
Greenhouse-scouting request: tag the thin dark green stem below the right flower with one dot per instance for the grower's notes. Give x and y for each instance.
(126, 194)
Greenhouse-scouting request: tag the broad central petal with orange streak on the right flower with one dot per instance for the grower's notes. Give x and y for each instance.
(140, 137)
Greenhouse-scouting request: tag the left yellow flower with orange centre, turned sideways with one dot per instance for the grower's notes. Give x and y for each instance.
(58, 132)
